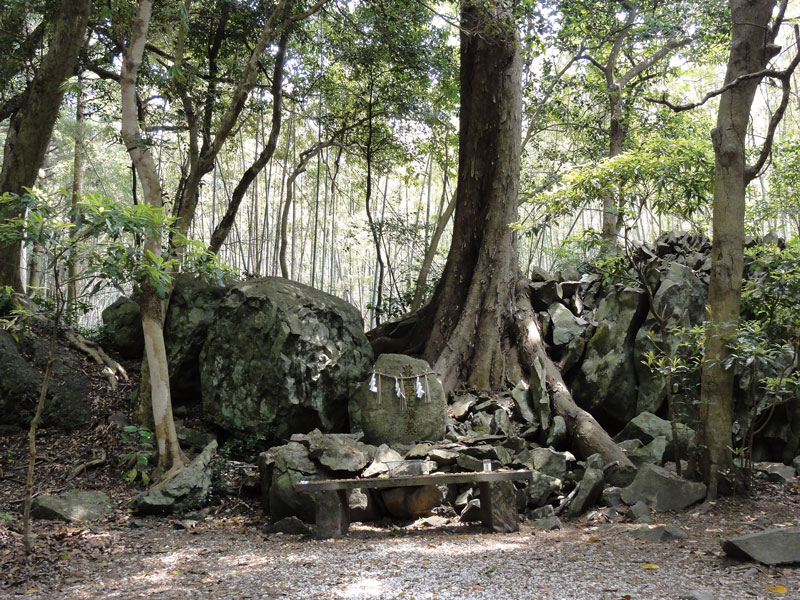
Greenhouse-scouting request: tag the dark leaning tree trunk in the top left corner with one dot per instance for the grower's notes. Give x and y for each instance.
(31, 127)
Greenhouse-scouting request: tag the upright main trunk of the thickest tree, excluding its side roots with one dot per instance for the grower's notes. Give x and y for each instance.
(474, 292)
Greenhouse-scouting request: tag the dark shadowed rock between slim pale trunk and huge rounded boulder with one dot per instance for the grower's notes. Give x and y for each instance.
(192, 308)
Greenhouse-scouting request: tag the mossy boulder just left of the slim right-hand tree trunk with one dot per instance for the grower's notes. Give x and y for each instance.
(681, 298)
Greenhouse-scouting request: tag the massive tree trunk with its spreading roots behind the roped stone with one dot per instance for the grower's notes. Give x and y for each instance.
(479, 328)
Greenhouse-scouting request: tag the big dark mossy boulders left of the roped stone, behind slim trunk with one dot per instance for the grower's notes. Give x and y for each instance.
(264, 357)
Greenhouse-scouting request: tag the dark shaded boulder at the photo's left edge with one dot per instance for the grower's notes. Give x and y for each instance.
(22, 363)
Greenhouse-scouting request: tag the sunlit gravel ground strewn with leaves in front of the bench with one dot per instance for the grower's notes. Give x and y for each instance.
(231, 557)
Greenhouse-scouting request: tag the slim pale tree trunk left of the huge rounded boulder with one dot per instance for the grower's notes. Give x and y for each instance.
(171, 456)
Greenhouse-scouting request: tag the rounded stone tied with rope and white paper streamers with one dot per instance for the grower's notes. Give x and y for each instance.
(386, 418)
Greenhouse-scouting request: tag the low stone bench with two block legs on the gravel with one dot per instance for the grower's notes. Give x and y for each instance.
(498, 497)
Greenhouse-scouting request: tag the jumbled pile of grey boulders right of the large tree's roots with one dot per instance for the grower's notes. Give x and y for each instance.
(601, 333)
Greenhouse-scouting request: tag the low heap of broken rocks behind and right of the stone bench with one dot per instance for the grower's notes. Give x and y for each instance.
(560, 485)
